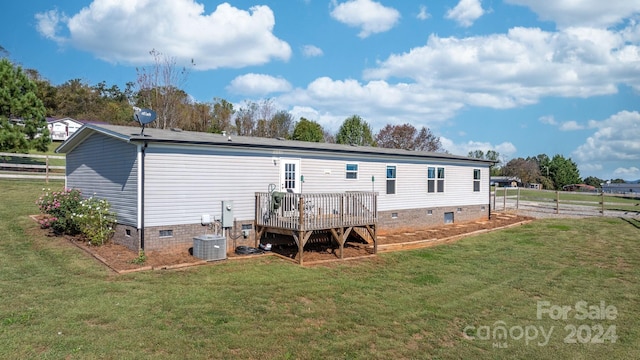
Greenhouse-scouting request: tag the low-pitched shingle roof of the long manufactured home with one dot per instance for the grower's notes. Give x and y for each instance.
(160, 136)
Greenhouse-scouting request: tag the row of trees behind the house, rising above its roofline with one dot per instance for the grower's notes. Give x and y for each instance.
(29, 97)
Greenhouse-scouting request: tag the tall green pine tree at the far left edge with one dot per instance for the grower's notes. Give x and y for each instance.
(22, 115)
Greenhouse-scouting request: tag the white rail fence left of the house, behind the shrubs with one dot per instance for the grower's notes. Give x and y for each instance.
(31, 166)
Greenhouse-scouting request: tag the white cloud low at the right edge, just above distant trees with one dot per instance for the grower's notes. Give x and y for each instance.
(615, 140)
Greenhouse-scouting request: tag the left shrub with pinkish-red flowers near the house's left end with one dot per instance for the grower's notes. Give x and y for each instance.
(60, 205)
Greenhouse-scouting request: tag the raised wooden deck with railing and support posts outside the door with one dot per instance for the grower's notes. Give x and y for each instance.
(299, 215)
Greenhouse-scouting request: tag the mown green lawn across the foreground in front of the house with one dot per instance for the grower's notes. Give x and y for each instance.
(56, 302)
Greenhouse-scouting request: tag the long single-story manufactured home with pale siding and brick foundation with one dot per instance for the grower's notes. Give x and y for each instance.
(161, 184)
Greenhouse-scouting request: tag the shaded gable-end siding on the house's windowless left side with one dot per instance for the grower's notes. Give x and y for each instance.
(108, 168)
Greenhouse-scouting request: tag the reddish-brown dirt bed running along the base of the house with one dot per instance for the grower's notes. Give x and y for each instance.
(121, 259)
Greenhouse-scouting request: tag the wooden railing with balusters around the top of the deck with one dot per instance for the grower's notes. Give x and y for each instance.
(316, 211)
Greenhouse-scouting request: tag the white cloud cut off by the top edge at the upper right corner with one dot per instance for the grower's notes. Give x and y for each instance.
(568, 13)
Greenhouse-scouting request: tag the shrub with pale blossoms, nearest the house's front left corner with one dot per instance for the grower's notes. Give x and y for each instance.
(95, 220)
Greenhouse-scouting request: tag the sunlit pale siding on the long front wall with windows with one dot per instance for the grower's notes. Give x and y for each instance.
(183, 182)
